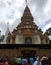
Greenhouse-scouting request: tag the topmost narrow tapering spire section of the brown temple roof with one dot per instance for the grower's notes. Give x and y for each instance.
(27, 16)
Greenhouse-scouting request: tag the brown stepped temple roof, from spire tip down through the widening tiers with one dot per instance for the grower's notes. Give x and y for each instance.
(27, 21)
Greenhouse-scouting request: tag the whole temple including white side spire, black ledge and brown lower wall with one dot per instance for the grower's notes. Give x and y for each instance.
(25, 40)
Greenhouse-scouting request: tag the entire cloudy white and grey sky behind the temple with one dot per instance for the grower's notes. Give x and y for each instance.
(12, 10)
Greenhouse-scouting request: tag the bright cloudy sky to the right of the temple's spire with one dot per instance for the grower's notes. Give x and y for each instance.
(42, 12)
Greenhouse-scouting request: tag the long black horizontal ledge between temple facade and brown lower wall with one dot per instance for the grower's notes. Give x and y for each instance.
(15, 46)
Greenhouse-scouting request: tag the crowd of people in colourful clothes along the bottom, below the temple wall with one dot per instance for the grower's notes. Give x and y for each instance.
(27, 60)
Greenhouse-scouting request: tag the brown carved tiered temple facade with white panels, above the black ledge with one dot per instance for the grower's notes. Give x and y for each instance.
(27, 32)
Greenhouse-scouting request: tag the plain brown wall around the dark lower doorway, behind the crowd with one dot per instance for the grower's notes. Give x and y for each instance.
(11, 53)
